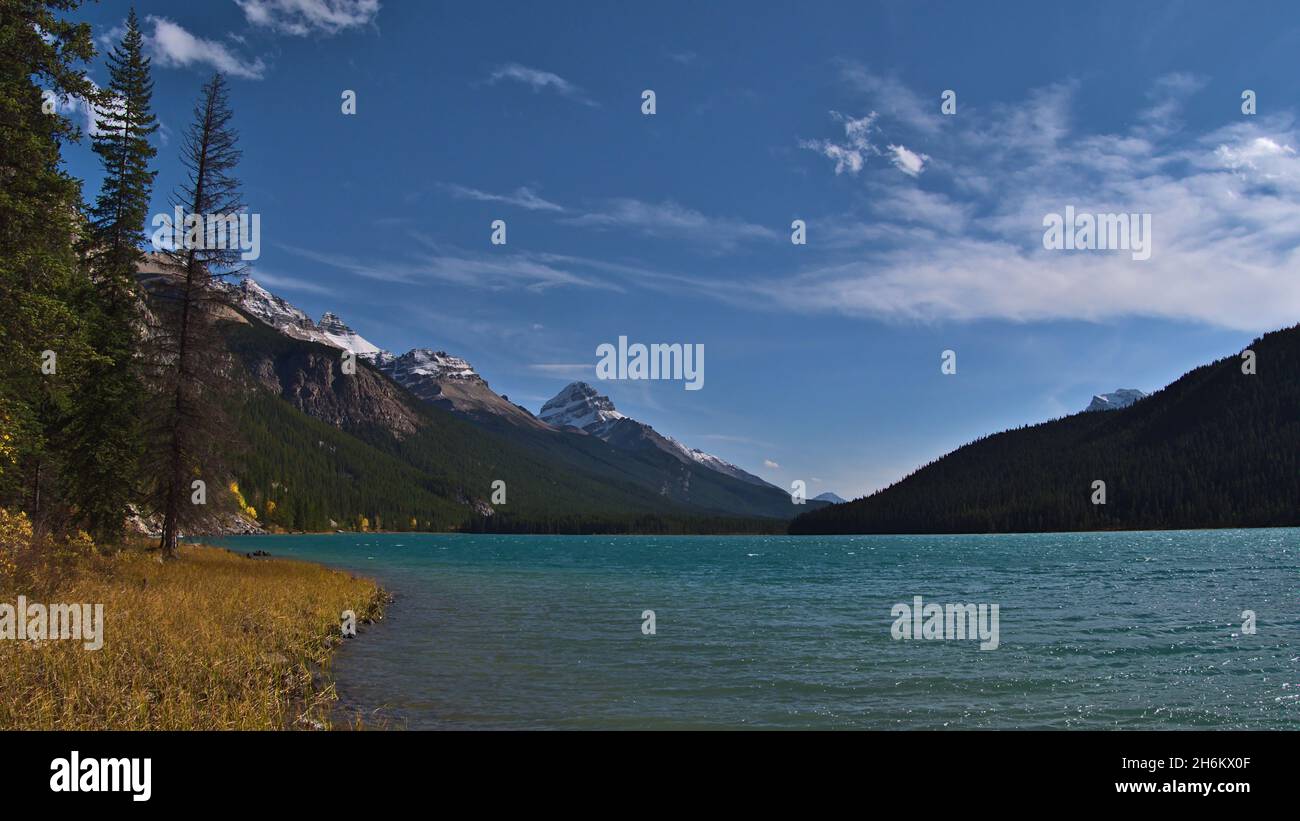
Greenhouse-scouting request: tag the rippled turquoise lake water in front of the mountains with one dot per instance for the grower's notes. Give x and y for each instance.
(1116, 631)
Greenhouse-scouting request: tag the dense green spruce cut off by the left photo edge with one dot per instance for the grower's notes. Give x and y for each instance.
(40, 224)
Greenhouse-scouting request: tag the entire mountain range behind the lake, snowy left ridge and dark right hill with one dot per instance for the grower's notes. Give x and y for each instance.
(421, 441)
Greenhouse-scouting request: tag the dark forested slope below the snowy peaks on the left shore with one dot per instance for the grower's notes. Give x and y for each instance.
(322, 450)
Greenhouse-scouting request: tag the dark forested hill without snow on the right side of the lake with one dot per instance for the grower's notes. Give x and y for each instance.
(1216, 449)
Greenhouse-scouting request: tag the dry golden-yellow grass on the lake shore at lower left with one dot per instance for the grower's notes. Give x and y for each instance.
(213, 641)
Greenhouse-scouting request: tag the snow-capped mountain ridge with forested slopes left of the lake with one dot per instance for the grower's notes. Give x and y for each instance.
(392, 451)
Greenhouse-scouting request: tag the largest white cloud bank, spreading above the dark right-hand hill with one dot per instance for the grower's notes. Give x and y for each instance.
(1227, 242)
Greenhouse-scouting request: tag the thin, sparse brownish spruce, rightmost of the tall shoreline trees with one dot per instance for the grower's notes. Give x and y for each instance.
(188, 359)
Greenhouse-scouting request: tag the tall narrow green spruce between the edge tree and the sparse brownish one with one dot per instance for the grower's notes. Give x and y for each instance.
(106, 432)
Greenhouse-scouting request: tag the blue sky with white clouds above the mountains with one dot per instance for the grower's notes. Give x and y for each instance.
(925, 231)
